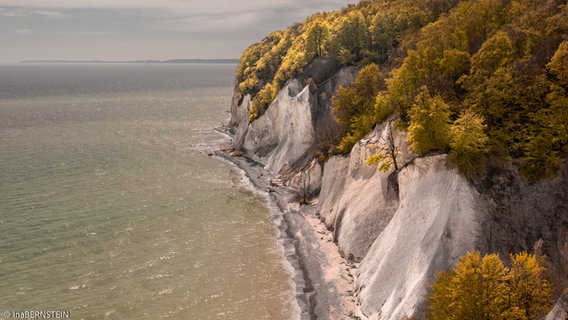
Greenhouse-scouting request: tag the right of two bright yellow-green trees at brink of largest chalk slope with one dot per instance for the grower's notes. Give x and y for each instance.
(468, 142)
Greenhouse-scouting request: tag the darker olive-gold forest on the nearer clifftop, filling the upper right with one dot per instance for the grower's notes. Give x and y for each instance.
(506, 63)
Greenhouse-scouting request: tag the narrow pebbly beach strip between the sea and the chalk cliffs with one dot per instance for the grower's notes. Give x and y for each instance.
(324, 281)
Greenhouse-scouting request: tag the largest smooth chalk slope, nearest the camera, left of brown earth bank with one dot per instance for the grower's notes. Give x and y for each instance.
(434, 225)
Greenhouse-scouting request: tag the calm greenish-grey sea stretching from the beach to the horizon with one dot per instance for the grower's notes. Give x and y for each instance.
(110, 207)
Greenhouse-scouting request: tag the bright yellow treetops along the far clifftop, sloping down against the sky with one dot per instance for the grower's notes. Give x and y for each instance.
(367, 32)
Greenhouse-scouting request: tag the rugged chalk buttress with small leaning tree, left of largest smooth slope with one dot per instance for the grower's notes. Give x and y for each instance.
(357, 200)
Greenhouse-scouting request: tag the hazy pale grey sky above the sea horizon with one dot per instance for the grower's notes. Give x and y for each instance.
(144, 29)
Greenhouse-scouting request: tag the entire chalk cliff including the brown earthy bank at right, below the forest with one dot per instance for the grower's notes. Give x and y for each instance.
(401, 226)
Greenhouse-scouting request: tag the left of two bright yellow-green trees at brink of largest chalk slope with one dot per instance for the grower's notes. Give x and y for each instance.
(429, 123)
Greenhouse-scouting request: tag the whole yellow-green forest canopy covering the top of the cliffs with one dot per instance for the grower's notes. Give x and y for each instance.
(494, 71)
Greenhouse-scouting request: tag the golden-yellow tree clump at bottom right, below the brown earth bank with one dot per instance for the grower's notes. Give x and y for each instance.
(484, 288)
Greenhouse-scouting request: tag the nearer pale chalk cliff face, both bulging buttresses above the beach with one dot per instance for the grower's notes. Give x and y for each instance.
(404, 226)
